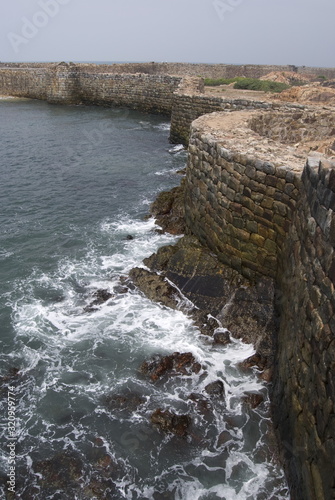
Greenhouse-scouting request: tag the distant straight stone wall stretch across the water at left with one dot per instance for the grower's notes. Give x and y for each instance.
(65, 84)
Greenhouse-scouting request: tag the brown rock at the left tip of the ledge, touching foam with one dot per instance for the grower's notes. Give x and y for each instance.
(154, 287)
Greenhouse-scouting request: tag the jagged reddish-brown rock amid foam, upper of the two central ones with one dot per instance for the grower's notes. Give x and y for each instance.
(174, 364)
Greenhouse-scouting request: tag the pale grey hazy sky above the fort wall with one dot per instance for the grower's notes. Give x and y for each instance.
(299, 32)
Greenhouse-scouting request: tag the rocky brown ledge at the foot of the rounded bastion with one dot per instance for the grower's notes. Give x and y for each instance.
(189, 277)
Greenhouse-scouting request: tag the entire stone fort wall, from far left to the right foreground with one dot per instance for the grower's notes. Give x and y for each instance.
(262, 208)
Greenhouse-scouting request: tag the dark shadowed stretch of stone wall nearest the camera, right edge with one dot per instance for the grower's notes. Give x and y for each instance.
(304, 382)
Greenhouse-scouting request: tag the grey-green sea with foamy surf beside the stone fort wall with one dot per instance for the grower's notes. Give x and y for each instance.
(76, 183)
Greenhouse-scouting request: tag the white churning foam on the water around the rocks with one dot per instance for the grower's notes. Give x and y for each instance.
(83, 356)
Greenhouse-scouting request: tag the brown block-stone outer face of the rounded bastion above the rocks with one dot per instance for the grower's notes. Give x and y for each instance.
(238, 205)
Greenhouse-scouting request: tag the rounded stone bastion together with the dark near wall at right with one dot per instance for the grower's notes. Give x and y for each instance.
(277, 218)
